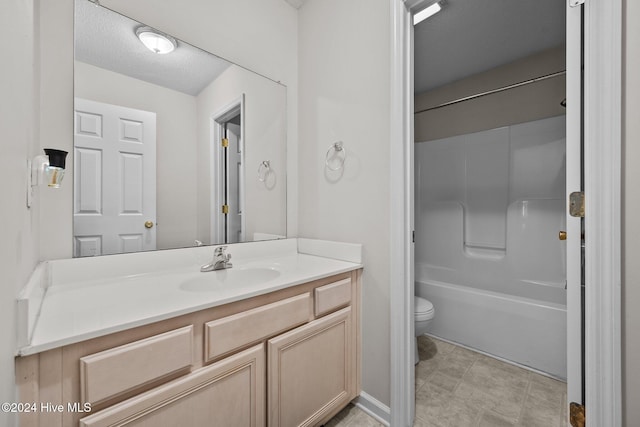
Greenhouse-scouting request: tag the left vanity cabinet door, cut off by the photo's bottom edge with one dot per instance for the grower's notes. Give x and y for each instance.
(227, 393)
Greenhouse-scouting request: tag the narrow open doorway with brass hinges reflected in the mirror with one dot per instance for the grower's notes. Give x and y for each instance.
(227, 185)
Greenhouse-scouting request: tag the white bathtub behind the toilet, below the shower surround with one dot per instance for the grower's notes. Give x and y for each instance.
(528, 332)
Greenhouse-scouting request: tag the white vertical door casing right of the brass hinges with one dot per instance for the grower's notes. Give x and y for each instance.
(602, 182)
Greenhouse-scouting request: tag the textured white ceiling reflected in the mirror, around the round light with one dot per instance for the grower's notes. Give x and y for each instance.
(107, 40)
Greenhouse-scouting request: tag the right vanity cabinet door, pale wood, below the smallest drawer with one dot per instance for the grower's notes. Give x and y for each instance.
(311, 372)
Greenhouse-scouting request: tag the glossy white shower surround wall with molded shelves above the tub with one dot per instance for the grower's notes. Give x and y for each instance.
(489, 206)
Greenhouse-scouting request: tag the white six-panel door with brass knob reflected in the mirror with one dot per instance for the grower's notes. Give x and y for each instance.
(114, 179)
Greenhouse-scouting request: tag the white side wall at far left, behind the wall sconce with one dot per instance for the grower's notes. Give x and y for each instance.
(18, 141)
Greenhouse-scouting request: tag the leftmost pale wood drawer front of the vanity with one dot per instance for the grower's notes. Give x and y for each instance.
(112, 372)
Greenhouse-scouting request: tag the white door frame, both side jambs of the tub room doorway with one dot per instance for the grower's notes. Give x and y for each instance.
(602, 163)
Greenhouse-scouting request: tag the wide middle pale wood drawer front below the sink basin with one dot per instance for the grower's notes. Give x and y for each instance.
(232, 332)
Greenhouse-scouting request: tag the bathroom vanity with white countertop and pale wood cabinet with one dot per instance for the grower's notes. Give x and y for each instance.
(283, 352)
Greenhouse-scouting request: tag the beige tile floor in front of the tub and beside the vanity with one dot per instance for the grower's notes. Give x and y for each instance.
(456, 387)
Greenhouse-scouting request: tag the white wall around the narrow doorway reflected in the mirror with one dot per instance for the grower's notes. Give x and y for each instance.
(264, 139)
